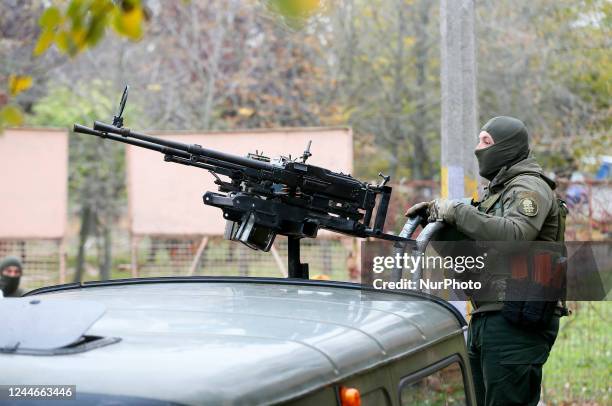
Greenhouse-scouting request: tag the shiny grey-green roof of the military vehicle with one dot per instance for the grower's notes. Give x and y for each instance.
(233, 343)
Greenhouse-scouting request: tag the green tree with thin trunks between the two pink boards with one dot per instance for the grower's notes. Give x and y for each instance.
(96, 168)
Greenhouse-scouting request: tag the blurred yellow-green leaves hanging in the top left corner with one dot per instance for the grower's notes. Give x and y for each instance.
(78, 26)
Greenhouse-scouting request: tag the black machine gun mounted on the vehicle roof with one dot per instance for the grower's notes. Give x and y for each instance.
(264, 197)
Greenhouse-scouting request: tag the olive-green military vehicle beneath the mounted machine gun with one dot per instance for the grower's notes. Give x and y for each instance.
(252, 341)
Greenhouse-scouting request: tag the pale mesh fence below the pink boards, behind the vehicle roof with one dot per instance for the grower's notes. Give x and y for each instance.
(334, 259)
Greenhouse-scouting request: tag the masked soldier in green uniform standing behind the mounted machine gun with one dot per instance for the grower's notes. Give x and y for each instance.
(519, 204)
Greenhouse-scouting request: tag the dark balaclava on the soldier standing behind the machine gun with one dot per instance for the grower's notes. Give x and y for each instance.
(511, 145)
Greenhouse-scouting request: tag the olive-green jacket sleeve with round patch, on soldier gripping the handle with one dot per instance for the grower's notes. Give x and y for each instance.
(526, 202)
